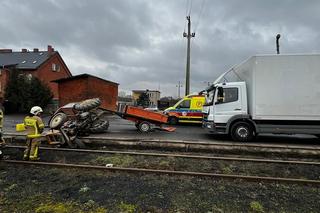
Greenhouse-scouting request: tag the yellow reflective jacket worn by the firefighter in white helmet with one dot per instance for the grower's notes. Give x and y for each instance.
(34, 126)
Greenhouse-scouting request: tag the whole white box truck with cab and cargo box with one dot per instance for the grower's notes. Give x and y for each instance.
(266, 94)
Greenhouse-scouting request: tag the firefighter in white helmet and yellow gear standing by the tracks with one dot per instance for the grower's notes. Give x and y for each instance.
(34, 126)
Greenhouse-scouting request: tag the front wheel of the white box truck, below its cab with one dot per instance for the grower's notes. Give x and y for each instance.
(242, 131)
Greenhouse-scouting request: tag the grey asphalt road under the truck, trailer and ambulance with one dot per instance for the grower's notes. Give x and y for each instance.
(121, 128)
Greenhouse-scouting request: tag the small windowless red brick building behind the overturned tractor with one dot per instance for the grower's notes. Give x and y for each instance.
(85, 86)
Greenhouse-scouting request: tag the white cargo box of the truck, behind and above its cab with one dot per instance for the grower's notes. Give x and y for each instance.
(282, 87)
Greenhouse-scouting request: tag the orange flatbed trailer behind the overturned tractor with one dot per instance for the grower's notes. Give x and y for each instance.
(144, 119)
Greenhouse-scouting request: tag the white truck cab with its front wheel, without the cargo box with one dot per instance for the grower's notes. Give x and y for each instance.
(226, 111)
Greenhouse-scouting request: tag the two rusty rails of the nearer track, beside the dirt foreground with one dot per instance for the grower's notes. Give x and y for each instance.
(174, 172)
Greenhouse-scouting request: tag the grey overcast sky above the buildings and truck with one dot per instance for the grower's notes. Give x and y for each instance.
(139, 43)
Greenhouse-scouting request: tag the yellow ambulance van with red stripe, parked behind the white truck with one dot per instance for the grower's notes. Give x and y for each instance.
(187, 110)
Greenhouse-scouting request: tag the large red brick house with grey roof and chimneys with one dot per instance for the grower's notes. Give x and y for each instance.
(46, 65)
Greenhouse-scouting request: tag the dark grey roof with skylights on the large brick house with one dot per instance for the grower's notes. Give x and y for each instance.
(24, 60)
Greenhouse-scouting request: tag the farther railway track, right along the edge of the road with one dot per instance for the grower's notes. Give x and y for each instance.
(193, 146)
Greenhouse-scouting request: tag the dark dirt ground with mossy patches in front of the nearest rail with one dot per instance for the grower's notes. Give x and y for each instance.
(46, 189)
